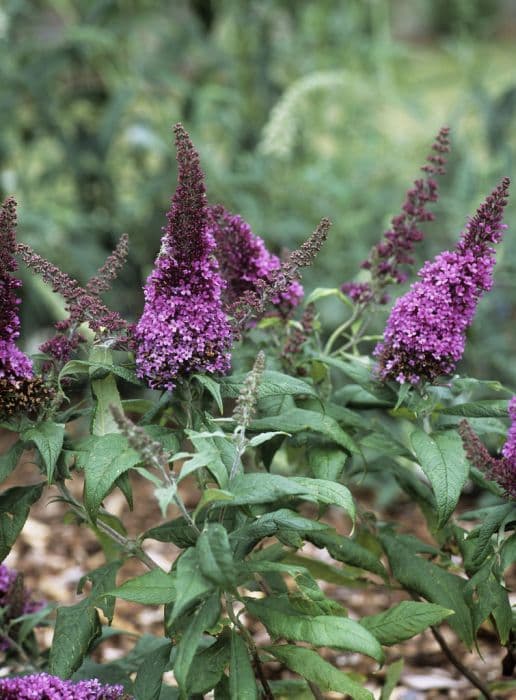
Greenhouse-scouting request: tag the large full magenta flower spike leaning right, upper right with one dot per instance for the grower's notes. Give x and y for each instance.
(425, 333)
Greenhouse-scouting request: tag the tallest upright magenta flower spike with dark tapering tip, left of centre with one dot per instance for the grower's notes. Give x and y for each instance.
(183, 328)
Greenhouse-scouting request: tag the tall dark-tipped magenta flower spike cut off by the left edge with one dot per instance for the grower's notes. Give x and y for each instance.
(14, 364)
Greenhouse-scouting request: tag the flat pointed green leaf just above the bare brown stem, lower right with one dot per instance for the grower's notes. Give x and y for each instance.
(404, 621)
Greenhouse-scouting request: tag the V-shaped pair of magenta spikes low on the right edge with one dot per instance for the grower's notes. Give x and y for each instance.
(501, 469)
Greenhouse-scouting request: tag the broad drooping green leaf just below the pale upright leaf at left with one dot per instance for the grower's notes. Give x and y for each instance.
(110, 457)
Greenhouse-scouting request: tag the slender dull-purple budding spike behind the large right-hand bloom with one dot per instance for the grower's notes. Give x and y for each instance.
(386, 257)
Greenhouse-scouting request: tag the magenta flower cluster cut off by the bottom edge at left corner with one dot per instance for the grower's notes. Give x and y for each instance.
(42, 686)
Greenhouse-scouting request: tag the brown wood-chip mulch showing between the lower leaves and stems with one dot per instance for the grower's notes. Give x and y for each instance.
(53, 556)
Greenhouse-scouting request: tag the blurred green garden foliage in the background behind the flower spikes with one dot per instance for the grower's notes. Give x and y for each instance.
(299, 109)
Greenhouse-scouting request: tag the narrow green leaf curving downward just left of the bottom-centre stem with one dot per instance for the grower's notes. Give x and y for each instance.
(202, 619)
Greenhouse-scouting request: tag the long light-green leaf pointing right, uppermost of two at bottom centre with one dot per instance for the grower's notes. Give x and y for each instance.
(281, 620)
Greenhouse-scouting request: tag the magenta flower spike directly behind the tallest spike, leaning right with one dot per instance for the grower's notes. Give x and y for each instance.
(245, 262)
